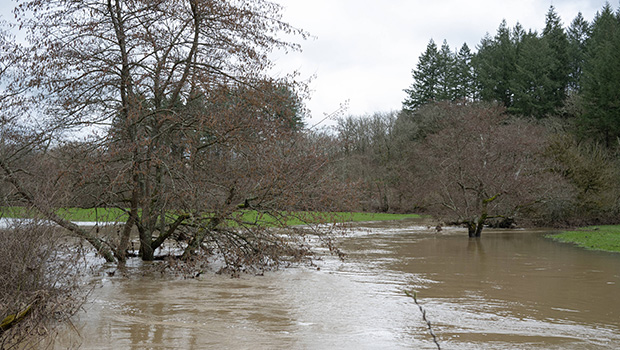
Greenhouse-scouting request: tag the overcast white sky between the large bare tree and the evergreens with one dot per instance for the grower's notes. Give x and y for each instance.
(364, 50)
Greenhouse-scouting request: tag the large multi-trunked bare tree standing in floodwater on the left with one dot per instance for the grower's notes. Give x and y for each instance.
(188, 128)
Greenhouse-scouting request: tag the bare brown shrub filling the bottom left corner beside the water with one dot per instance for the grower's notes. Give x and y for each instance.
(39, 281)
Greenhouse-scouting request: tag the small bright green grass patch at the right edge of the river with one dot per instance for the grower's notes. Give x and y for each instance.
(606, 238)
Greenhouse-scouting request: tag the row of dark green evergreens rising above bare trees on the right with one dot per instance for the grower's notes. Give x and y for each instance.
(570, 72)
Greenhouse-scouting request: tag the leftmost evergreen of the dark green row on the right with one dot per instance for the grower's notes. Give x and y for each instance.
(425, 79)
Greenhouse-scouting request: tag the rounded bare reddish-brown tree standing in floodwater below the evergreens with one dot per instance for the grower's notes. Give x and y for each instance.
(481, 166)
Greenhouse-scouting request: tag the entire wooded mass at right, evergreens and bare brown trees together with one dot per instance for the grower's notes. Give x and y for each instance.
(524, 129)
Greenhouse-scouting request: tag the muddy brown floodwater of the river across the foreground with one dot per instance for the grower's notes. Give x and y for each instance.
(512, 289)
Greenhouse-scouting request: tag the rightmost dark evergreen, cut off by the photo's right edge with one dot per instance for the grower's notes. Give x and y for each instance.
(601, 79)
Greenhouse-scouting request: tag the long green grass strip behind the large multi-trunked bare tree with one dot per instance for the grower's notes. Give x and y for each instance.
(117, 215)
